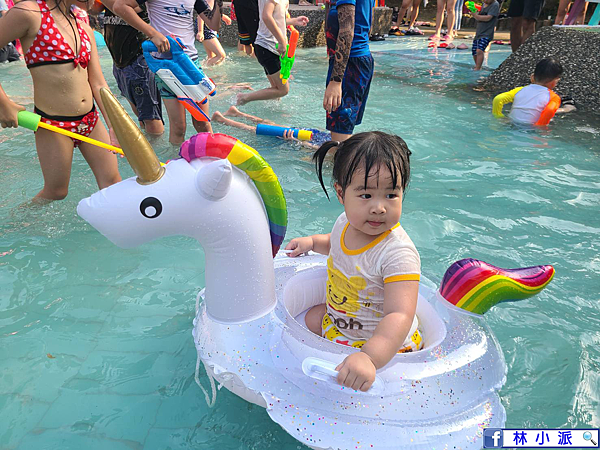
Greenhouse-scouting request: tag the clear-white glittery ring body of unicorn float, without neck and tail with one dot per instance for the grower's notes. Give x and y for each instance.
(443, 395)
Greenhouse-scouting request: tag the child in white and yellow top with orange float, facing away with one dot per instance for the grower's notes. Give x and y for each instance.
(536, 103)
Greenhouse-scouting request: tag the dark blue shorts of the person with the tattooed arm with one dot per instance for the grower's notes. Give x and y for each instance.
(355, 91)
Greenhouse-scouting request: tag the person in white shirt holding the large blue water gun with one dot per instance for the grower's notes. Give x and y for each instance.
(175, 19)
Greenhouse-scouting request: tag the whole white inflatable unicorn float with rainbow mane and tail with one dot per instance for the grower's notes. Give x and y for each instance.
(249, 330)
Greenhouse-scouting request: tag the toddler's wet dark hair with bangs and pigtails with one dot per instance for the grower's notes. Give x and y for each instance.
(372, 149)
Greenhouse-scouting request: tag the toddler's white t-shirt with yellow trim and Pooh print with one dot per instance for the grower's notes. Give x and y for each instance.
(356, 278)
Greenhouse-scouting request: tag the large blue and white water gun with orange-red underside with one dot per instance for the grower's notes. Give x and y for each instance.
(191, 86)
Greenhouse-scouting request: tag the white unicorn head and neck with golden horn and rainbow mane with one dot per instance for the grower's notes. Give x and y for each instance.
(221, 193)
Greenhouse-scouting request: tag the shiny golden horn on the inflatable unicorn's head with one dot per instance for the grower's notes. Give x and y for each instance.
(136, 147)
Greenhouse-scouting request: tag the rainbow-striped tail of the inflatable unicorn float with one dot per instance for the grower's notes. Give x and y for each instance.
(476, 286)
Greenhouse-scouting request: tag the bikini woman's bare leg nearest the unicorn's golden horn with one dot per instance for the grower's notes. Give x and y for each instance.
(103, 163)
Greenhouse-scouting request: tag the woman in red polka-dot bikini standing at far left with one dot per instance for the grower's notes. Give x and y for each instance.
(67, 78)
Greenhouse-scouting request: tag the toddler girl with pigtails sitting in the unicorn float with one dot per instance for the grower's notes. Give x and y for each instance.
(373, 268)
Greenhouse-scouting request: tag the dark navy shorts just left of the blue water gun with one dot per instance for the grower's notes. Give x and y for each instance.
(136, 83)
